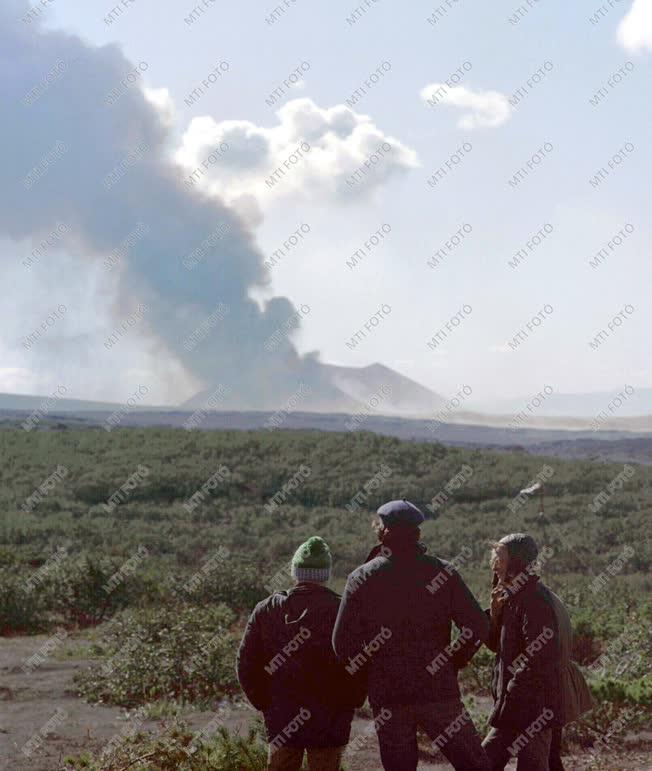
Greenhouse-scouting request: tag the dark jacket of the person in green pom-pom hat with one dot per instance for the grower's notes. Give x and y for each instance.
(286, 663)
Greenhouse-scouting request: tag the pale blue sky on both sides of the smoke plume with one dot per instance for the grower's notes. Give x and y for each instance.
(581, 57)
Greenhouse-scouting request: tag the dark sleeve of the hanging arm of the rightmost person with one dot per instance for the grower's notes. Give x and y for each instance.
(541, 653)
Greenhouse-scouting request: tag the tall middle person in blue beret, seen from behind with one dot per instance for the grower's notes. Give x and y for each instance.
(394, 624)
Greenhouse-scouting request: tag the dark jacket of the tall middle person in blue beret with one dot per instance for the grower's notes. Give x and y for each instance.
(395, 622)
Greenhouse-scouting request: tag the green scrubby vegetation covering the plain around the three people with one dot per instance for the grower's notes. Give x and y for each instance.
(171, 566)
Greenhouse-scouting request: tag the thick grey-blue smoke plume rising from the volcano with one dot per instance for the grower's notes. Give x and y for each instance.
(68, 156)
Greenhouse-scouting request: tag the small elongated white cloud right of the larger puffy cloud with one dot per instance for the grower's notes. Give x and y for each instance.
(485, 109)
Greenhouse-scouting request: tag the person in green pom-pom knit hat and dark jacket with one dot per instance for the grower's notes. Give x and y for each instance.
(288, 670)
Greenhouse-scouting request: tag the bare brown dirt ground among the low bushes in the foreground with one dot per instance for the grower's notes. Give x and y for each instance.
(29, 700)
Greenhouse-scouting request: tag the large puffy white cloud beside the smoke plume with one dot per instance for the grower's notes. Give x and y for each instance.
(245, 155)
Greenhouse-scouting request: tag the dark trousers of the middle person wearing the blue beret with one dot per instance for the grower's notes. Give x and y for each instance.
(448, 724)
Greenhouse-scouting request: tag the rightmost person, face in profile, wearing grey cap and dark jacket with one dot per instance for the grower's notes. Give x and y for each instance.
(528, 622)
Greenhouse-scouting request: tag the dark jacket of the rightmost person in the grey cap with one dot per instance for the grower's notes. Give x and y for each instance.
(528, 672)
